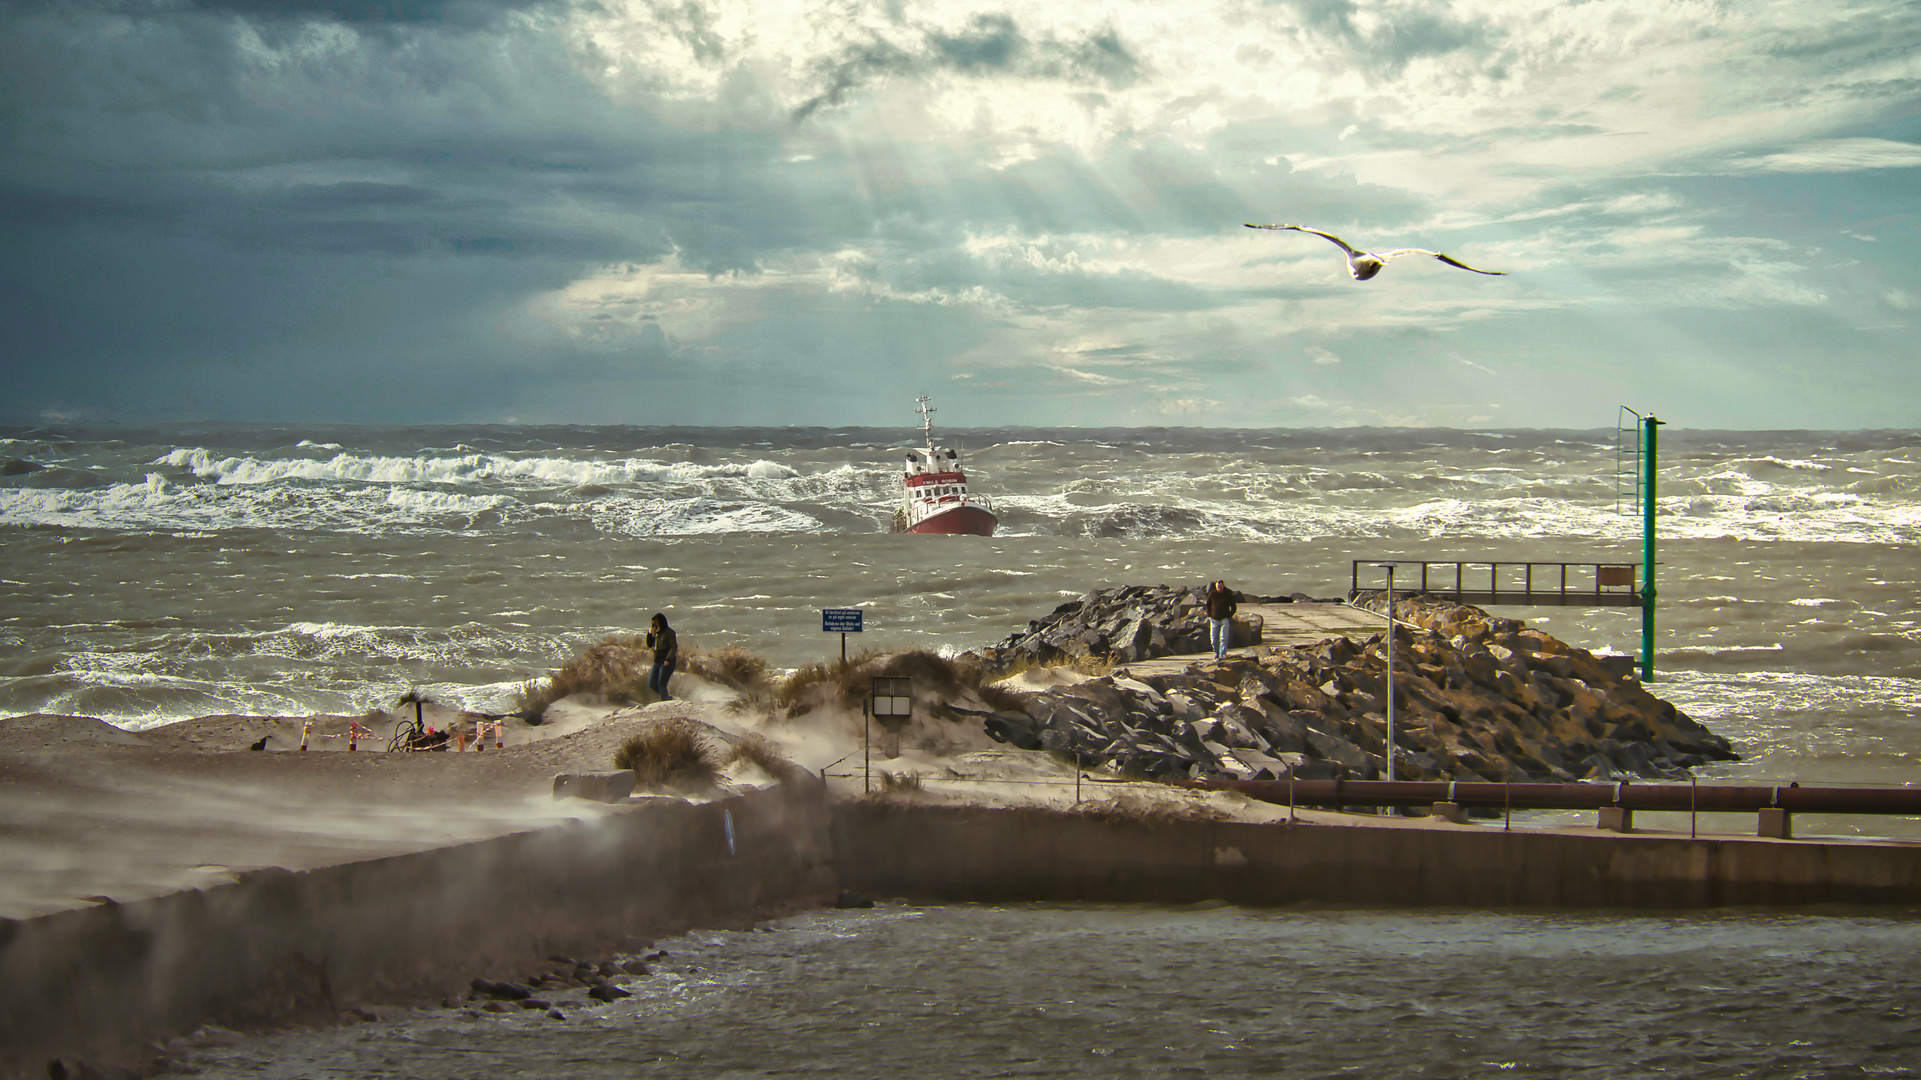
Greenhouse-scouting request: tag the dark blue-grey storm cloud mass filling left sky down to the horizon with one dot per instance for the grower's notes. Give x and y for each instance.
(218, 212)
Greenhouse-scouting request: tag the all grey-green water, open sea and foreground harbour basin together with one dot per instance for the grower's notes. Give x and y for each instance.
(176, 572)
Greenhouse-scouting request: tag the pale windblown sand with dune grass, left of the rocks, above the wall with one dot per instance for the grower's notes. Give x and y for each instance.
(97, 814)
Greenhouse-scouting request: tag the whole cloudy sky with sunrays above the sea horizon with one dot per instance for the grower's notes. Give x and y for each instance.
(721, 212)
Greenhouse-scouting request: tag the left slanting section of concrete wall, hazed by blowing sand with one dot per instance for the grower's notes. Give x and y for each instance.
(101, 983)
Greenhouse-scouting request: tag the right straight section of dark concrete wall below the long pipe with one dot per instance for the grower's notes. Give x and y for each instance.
(1013, 856)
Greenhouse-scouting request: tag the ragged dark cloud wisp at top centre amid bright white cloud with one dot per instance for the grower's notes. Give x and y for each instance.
(988, 45)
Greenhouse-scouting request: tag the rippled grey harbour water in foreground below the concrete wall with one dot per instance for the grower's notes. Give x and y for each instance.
(1102, 993)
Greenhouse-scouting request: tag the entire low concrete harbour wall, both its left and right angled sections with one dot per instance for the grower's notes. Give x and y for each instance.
(105, 983)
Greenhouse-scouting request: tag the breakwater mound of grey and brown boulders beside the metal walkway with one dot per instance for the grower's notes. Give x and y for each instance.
(1476, 699)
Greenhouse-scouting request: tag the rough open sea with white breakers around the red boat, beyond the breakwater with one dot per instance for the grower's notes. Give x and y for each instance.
(176, 572)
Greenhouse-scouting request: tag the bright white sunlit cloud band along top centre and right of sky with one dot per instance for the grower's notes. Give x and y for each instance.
(1419, 87)
